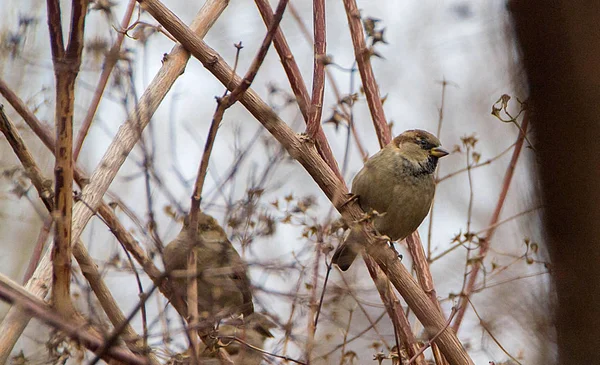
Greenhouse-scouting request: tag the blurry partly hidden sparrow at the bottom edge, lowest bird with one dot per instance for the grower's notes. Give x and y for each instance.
(252, 330)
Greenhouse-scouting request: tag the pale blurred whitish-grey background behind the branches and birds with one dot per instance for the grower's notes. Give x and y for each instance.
(443, 66)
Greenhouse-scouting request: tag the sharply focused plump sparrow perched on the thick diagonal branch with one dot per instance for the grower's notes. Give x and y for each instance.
(397, 183)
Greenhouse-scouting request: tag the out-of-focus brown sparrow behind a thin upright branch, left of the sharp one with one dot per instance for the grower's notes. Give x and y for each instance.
(223, 284)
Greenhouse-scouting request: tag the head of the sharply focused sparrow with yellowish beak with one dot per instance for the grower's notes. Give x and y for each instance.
(420, 148)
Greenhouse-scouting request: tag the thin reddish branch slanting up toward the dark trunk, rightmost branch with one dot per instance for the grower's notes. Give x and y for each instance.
(484, 244)
